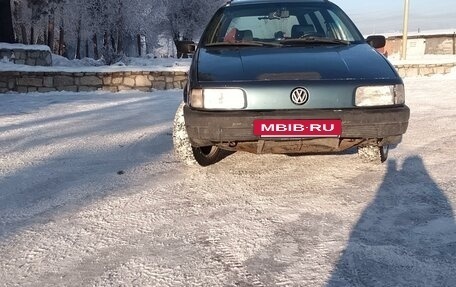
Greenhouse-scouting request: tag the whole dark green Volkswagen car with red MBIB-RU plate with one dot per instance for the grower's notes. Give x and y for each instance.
(288, 77)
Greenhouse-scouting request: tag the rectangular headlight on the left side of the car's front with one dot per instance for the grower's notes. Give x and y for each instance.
(216, 99)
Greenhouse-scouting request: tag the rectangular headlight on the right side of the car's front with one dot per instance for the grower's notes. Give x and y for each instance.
(380, 95)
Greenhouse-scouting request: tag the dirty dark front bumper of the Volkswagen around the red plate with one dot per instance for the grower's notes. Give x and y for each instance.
(215, 127)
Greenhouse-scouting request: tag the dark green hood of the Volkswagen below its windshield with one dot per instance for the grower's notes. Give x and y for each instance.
(218, 64)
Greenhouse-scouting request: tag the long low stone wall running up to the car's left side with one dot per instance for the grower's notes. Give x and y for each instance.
(88, 81)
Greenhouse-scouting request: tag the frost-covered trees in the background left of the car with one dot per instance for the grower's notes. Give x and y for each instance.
(106, 28)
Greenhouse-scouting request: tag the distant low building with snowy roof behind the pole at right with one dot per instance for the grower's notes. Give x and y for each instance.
(436, 42)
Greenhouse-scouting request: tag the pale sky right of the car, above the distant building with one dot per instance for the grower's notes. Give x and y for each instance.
(387, 16)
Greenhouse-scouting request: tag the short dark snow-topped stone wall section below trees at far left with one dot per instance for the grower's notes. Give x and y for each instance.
(31, 57)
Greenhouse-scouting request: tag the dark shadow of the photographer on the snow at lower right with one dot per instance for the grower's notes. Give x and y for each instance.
(405, 237)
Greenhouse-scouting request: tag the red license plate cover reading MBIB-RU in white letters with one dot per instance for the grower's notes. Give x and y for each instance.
(297, 128)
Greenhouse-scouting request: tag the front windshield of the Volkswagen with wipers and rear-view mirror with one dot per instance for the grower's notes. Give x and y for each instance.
(281, 23)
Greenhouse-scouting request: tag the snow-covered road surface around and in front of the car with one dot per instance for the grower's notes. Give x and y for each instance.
(91, 195)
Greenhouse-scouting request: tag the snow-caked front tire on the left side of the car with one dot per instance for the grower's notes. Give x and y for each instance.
(185, 152)
